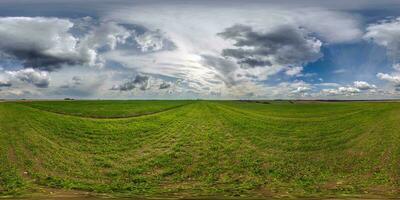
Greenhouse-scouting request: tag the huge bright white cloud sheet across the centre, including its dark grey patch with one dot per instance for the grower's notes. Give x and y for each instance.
(289, 38)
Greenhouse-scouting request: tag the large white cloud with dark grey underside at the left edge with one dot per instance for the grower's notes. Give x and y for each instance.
(41, 43)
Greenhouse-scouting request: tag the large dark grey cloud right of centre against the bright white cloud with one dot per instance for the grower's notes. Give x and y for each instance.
(284, 45)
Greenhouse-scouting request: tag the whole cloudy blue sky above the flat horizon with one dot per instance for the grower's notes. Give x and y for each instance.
(183, 49)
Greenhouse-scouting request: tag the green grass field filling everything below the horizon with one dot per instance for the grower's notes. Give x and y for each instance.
(201, 148)
